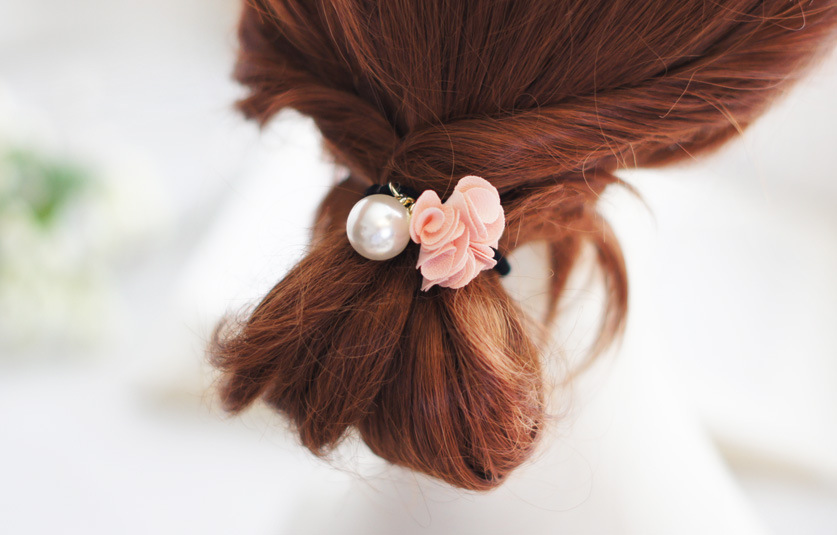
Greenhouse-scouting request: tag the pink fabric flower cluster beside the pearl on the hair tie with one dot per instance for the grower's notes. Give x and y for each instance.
(457, 236)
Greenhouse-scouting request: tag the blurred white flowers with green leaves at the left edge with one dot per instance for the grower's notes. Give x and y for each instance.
(65, 229)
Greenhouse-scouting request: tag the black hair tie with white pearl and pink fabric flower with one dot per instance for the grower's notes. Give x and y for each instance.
(458, 238)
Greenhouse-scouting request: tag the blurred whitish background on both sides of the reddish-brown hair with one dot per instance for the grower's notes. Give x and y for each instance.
(136, 208)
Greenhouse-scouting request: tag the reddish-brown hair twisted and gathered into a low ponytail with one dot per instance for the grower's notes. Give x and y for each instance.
(544, 99)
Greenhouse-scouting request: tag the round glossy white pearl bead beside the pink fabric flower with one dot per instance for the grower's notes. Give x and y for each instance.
(378, 227)
